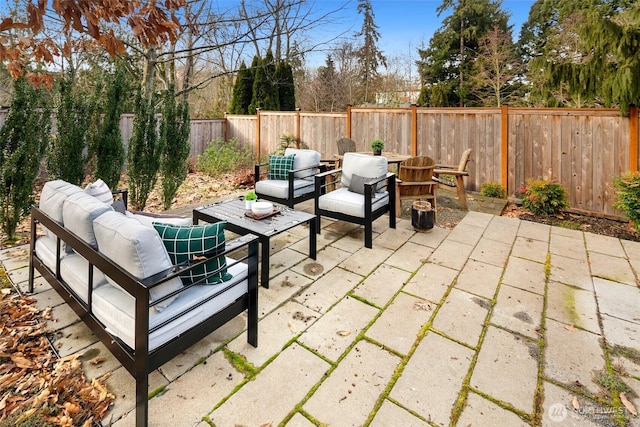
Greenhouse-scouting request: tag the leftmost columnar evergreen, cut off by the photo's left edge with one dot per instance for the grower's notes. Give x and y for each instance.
(23, 141)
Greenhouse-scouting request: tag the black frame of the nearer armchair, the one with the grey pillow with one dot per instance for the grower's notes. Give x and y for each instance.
(321, 184)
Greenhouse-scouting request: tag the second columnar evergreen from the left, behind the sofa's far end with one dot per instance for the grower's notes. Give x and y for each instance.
(65, 157)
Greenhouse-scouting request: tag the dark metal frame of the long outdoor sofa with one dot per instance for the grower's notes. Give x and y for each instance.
(140, 361)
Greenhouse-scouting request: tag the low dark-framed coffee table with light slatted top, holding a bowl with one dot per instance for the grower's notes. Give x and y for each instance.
(233, 211)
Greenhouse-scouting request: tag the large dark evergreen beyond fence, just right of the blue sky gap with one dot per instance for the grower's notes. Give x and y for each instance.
(446, 64)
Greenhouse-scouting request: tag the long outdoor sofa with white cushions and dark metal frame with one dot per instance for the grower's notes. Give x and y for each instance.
(121, 277)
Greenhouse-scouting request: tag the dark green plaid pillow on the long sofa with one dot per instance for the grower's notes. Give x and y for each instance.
(189, 243)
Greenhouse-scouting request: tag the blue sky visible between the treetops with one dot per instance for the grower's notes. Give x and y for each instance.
(405, 25)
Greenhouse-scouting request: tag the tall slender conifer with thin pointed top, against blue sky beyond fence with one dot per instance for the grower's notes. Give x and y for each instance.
(368, 54)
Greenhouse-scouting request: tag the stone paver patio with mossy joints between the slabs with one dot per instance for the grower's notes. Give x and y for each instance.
(498, 322)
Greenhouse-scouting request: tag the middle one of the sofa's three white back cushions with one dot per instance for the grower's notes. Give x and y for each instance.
(78, 212)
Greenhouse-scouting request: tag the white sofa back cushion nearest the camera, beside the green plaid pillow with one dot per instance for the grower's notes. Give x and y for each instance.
(137, 249)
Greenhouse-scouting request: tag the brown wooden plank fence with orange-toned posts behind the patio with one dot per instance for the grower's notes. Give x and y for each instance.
(583, 149)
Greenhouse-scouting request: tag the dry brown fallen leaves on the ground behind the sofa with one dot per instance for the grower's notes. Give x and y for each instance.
(36, 387)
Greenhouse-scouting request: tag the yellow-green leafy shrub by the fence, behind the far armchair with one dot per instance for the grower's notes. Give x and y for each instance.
(222, 157)
